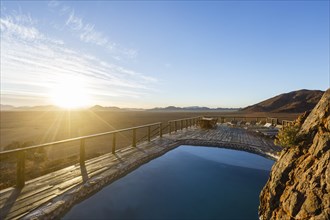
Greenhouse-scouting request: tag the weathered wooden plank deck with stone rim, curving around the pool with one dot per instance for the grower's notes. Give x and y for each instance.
(51, 195)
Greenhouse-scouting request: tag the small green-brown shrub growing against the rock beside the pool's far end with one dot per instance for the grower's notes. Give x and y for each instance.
(287, 136)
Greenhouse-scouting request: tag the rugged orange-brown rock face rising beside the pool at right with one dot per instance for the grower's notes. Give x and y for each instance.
(299, 183)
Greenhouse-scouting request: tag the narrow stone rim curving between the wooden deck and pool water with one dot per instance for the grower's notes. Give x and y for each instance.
(61, 204)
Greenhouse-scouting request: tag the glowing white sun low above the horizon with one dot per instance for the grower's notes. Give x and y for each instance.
(70, 93)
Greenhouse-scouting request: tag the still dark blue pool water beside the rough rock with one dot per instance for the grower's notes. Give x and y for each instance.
(188, 182)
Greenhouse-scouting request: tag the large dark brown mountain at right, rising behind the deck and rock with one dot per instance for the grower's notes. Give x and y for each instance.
(292, 102)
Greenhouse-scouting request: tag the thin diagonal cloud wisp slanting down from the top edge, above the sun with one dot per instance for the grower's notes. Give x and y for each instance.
(87, 32)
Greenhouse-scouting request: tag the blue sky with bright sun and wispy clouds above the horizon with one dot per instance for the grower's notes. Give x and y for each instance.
(146, 54)
